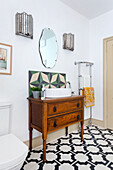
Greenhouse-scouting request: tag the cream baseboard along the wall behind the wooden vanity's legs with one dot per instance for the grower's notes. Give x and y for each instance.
(54, 135)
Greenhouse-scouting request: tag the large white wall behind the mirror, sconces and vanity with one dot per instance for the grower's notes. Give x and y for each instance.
(61, 19)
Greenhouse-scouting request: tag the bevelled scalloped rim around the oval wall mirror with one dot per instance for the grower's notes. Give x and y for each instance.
(40, 51)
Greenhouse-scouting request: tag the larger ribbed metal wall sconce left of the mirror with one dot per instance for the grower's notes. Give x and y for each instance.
(24, 25)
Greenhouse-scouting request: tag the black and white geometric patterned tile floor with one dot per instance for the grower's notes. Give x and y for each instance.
(69, 153)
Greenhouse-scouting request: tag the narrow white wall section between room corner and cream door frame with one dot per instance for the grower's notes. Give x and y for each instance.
(100, 28)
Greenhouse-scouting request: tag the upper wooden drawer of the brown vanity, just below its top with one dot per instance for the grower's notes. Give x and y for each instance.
(54, 108)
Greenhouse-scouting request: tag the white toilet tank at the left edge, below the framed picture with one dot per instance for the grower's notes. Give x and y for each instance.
(5, 109)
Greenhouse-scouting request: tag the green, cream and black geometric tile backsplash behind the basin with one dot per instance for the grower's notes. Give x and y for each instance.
(50, 80)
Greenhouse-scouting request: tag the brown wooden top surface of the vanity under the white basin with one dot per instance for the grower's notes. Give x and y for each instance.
(47, 100)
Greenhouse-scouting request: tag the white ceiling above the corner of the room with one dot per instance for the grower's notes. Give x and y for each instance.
(90, 8)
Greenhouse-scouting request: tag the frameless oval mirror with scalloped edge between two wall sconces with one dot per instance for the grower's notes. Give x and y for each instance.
(48, 48)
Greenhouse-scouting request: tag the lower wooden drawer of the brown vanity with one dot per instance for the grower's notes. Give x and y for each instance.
(59, 121)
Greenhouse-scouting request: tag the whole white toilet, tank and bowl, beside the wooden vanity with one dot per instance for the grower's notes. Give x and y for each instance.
(12, 151)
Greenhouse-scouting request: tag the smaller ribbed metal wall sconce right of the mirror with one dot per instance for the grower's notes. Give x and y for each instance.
(68, 41)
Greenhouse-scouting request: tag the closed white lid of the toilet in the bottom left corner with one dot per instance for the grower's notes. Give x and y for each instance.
(12, 151)
